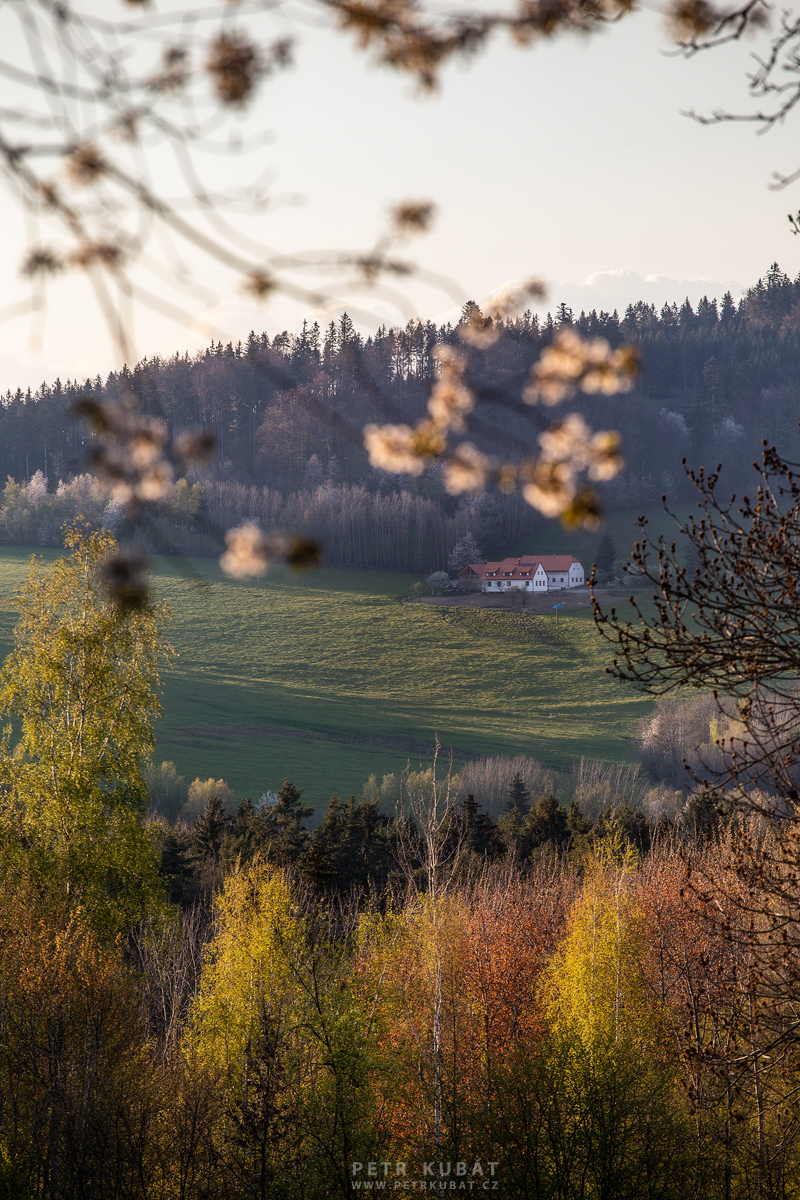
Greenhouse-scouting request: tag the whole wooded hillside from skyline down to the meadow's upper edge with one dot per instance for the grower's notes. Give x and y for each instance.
(287, 417)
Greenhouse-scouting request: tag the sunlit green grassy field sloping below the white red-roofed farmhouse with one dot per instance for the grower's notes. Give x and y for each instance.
(327, 679)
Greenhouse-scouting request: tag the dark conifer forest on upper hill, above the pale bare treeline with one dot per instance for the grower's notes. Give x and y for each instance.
(715, 381)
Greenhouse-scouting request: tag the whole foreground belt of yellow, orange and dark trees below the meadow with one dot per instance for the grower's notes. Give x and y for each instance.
(605, 1025)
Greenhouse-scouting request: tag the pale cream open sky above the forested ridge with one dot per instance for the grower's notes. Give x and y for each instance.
(570, 160)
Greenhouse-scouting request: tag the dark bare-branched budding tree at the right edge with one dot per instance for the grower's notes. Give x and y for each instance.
(732, 627)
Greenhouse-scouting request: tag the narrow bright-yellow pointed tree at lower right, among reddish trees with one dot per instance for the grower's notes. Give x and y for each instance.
(611, 1055)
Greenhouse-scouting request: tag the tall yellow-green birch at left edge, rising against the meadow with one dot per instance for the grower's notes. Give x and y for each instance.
(82, 692)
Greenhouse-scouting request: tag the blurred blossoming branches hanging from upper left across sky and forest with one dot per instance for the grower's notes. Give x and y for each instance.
(92, 101)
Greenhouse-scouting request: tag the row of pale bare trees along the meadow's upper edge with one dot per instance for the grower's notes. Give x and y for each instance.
(357, 527)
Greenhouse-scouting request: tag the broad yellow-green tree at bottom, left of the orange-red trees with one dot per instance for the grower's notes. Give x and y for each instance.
(280, 1030)
